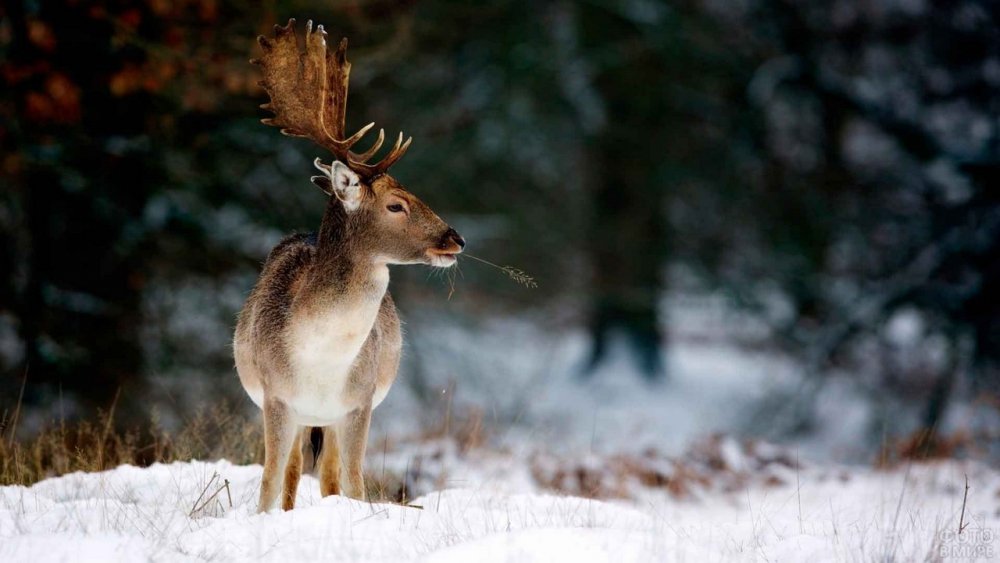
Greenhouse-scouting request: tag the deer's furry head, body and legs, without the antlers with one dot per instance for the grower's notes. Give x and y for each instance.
(314, 281)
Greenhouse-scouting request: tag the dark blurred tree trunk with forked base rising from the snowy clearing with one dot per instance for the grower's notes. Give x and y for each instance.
(624, 148)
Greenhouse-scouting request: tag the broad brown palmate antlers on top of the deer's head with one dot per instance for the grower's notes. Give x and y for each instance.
(308, 91)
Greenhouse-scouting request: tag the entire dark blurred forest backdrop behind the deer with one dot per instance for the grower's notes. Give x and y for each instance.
(832, 167)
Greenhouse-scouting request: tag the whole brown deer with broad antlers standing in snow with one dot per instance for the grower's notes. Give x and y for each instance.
(317, 344)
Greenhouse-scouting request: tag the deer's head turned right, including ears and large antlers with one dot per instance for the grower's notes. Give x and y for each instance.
(308, 91)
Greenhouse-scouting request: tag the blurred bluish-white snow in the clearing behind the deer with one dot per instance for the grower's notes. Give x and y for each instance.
(527, 380)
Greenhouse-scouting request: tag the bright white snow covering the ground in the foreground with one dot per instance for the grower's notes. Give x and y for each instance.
(833, 514)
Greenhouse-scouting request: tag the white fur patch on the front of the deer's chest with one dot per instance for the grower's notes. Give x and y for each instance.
(324, 347)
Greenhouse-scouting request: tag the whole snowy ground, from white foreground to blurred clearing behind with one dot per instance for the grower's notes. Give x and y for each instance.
(552, 470)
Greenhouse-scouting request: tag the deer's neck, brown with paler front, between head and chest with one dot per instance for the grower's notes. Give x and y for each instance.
(345, 269)
